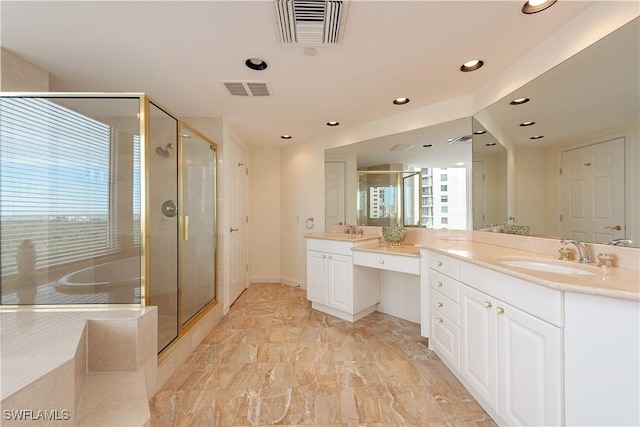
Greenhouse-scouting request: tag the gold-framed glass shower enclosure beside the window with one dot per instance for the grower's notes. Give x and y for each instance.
(106, 200)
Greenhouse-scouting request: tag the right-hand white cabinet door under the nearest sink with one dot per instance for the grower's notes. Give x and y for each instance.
(529, 369)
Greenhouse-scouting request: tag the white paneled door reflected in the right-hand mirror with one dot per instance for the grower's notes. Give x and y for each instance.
(593, 201)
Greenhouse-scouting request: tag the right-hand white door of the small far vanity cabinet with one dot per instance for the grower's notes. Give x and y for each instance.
(340, 278)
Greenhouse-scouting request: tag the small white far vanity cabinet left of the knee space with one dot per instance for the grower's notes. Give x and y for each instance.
(334, 286)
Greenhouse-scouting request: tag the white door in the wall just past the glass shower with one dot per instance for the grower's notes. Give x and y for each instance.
(238, 222)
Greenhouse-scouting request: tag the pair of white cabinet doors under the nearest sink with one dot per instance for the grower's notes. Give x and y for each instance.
(511, 359)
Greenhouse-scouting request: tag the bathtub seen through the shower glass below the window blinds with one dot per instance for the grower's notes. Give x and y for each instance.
(118, 278)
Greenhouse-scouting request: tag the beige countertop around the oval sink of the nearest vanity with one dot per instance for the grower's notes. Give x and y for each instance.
(612, 282)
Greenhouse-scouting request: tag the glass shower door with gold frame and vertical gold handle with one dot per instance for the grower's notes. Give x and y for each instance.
(198, 223)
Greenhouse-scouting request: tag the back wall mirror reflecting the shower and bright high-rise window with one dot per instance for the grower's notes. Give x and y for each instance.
(433, 162)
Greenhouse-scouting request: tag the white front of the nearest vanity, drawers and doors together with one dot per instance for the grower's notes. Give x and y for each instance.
(501, 336)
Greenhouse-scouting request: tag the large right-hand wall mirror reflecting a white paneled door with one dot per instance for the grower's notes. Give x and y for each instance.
(572, 148)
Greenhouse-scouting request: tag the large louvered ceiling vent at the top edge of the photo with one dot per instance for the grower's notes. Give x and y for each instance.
(313, 22)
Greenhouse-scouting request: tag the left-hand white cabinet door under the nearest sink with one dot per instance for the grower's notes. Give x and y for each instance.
(478, 343)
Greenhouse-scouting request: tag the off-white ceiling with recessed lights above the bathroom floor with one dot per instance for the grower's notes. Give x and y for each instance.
(180, 52)
